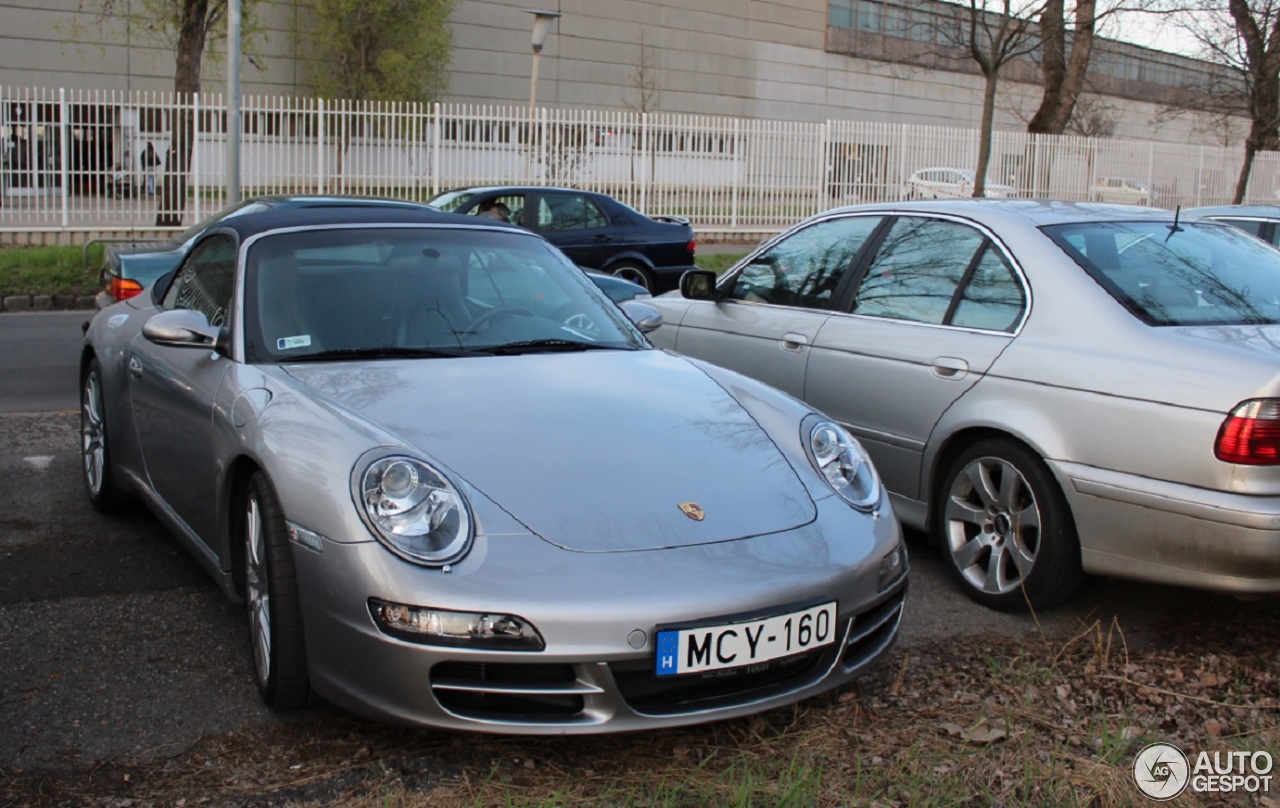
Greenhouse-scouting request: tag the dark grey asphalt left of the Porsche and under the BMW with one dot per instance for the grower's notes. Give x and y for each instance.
(115, 645)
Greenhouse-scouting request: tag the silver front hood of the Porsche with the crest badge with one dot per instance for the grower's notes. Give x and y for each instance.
(605, 451)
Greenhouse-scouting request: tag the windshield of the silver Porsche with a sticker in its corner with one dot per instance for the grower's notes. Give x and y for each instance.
(386, 293)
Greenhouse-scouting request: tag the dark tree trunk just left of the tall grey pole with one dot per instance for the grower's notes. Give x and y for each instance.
(186, 84)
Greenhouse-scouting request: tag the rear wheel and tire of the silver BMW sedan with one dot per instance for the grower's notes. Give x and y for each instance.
(1007, 528)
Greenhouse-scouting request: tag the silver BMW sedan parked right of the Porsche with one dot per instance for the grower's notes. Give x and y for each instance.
(1049, 389)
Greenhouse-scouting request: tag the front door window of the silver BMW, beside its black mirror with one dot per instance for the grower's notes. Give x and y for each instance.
(806, 268)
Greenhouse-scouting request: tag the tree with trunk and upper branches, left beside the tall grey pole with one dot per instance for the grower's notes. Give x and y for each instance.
(185, 28)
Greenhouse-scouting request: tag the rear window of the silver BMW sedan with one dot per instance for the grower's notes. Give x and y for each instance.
(1195, 275)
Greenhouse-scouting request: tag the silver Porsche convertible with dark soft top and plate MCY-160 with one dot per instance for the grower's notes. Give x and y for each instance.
(456, 486)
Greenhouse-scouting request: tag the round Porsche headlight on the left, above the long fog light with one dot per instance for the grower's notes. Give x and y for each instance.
(415, 510)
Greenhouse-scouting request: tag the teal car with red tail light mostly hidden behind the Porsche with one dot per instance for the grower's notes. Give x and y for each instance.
(131, 268)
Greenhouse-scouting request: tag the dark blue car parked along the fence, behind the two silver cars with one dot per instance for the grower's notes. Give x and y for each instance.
(593, 230)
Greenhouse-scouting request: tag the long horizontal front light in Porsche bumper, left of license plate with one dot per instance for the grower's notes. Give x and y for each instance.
(435, 627)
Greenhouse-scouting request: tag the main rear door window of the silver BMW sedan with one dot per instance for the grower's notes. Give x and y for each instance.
(918, 270)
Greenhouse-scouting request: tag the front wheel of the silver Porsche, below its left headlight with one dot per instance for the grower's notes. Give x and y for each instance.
(272, 600)
